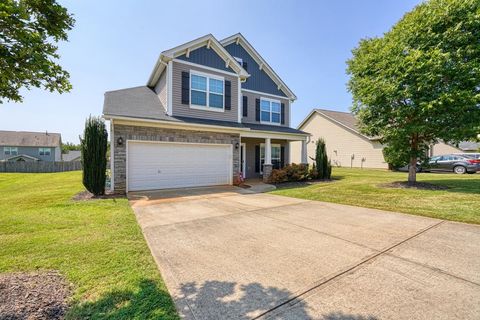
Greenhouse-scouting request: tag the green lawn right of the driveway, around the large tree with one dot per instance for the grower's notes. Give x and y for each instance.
(361, 188)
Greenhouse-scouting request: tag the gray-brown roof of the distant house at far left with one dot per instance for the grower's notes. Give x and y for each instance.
(29, 139)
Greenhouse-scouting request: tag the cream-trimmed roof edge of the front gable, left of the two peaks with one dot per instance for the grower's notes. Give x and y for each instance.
(208, 40)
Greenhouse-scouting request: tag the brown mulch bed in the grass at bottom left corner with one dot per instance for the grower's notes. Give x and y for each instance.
(33, 296)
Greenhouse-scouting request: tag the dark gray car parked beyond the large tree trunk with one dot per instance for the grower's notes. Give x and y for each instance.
(456, 163)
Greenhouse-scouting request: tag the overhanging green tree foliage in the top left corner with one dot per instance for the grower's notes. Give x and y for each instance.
(29, 30)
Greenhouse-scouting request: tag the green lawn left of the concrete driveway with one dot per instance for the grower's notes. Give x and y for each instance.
(97, 245)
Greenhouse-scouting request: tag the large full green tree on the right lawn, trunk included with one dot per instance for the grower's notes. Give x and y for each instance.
(420, 82)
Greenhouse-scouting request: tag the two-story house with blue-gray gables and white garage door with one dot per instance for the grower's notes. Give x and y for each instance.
(211, 111)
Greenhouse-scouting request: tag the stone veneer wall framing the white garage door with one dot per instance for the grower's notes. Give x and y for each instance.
(128, 132)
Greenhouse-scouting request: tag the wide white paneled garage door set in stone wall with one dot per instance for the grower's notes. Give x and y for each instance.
(176, 165)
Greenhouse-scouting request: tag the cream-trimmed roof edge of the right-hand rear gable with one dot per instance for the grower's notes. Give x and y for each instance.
(240, 39)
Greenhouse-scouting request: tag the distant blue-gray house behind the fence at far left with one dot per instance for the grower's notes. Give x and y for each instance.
(30, 146)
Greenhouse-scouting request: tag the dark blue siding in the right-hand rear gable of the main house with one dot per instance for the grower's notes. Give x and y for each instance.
(258, 80)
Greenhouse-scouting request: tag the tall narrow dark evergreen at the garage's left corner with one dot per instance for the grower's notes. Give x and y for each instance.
(94, 155)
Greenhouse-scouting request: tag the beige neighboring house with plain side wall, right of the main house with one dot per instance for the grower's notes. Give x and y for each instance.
(346, 146)
